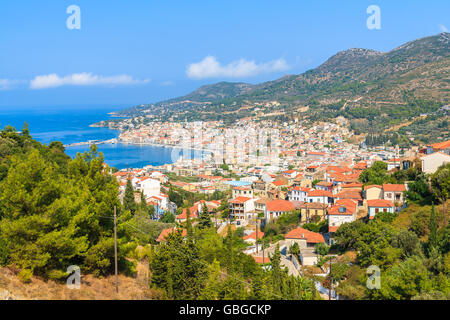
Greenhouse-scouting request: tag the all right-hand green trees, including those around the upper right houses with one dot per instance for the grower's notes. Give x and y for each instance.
(411, 247)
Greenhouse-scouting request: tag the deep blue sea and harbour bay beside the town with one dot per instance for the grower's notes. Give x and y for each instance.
(72, 124)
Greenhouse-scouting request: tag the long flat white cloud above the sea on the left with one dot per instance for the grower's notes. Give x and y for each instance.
(82, 79)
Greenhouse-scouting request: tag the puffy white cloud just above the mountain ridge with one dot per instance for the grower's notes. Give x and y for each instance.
(209, 67)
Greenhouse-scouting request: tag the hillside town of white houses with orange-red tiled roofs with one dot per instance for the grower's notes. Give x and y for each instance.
(317, 177)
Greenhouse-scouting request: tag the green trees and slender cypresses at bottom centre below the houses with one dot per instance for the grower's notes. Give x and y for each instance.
(208, 266)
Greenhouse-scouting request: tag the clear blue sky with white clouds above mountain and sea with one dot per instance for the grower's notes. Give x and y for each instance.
(124, 53)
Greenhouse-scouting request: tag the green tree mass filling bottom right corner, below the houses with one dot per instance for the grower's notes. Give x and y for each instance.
(411, 249)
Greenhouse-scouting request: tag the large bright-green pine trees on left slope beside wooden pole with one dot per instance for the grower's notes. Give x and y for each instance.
(56, 212)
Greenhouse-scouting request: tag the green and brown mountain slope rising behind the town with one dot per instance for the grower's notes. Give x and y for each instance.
(375, 90)
